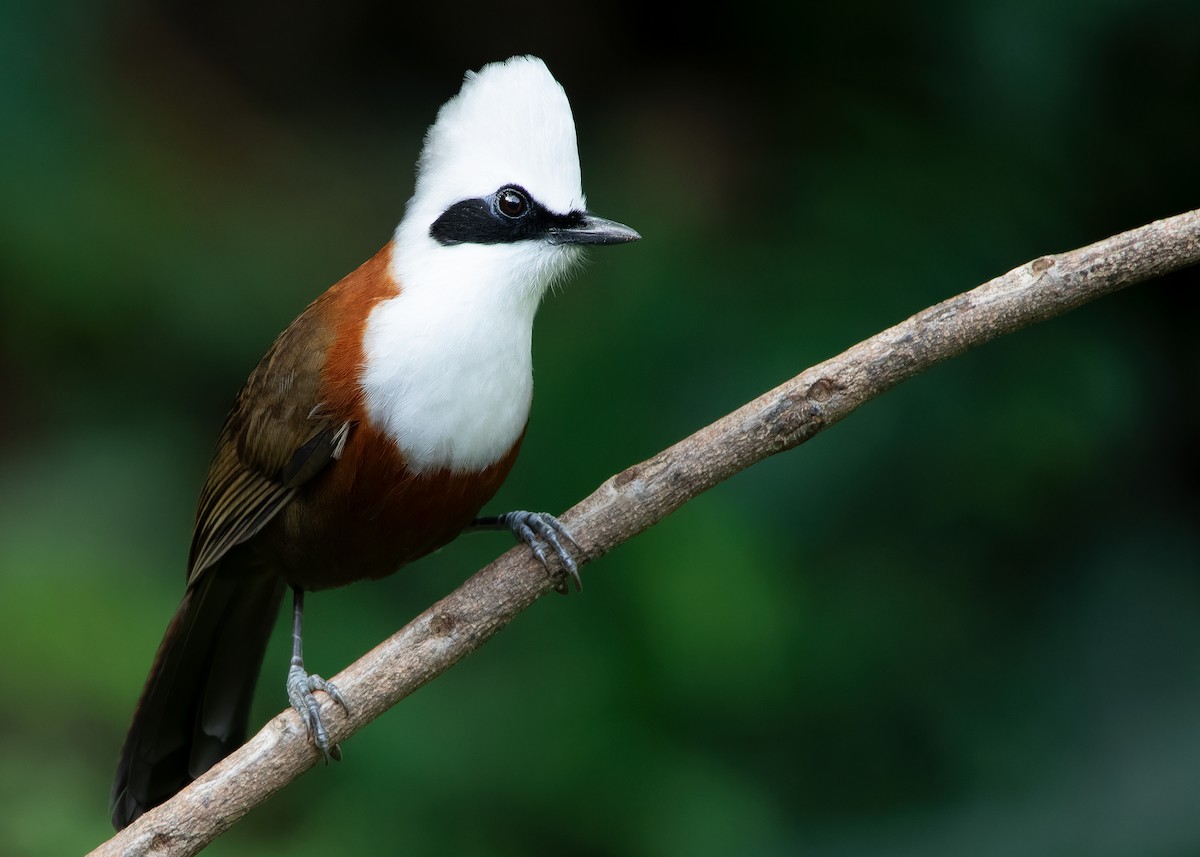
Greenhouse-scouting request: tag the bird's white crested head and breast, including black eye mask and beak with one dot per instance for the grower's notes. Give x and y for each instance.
(497, 217)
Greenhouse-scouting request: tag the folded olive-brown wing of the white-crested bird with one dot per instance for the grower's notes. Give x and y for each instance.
(278, 436)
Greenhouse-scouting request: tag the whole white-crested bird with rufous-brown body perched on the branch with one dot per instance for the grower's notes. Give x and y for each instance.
(379, 424)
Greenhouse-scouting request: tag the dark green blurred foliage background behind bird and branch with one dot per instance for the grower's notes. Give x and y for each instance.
(964, 621)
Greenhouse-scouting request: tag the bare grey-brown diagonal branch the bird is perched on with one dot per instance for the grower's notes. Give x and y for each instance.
(639, 498)
